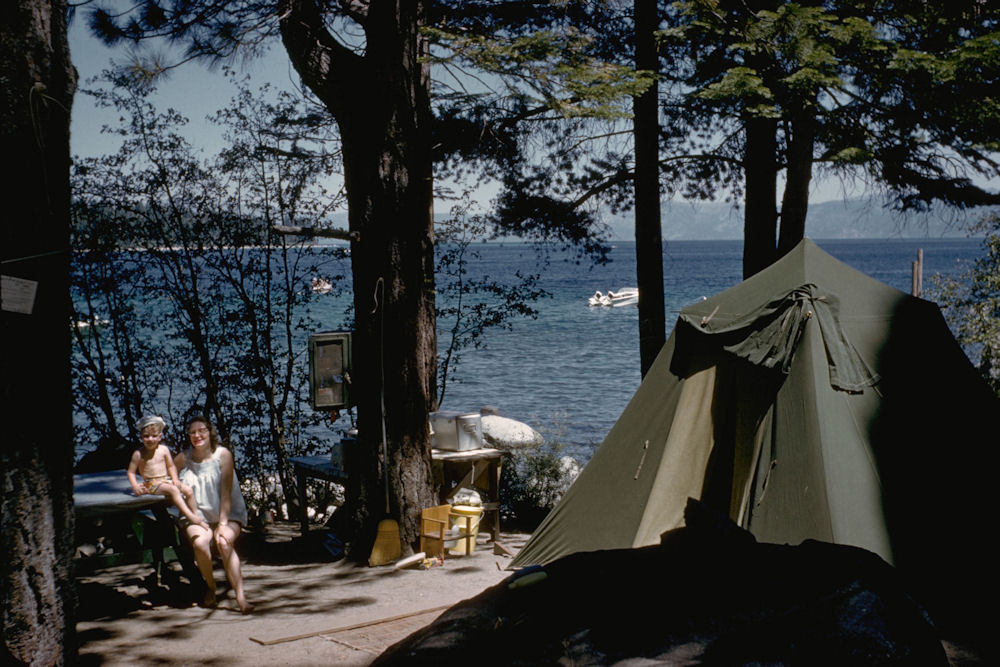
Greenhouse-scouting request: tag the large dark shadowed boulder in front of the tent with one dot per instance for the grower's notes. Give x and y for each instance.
(708, 594)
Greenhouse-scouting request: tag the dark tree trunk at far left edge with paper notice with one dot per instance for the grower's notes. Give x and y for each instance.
(38, 83)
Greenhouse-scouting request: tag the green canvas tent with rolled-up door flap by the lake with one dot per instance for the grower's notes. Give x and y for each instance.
(809, 401)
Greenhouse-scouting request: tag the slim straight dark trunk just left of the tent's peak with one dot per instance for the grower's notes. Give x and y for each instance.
(648, 235)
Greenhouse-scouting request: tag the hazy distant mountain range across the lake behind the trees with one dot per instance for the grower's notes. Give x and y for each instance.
(849, 219)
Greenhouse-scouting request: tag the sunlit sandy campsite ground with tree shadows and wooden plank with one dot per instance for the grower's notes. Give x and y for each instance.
(308, 610)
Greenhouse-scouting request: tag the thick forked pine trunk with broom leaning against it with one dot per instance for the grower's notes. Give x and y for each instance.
(384, 127)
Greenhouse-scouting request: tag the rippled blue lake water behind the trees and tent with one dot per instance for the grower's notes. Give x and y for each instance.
(571, 371)
